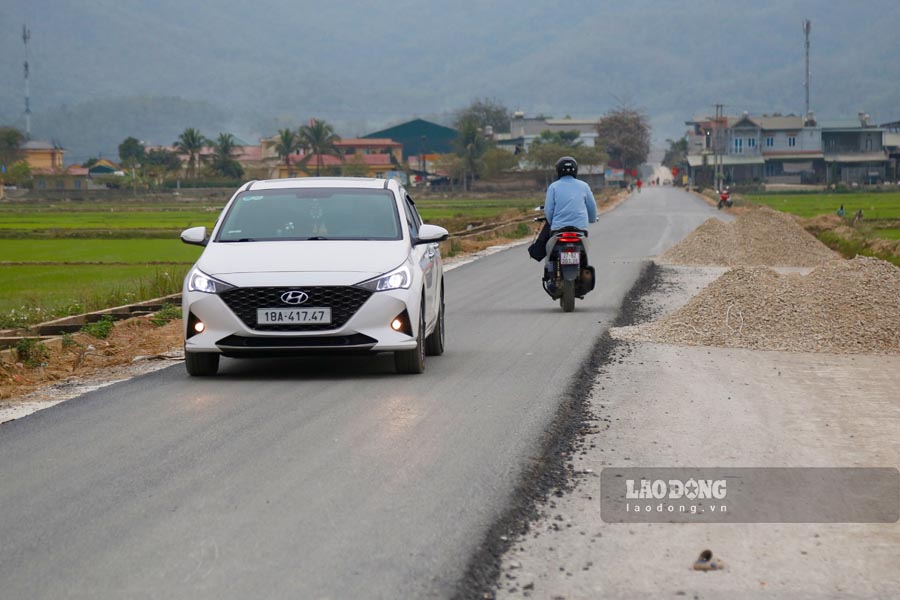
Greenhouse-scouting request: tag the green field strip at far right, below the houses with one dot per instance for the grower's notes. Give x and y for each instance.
(875, 206)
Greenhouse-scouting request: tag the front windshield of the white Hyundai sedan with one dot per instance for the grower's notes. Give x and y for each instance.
(311, 214)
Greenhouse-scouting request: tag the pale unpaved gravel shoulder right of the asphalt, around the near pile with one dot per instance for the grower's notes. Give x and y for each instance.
(660, 405)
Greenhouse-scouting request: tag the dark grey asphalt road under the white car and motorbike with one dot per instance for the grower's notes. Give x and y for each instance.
(313, 478)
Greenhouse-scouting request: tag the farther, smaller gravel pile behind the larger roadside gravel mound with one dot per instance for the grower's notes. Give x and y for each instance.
(760, 236)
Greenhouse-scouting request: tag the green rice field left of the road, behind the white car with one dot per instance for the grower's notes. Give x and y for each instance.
(66, 258)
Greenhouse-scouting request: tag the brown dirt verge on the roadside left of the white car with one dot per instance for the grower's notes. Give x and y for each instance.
(83, 356)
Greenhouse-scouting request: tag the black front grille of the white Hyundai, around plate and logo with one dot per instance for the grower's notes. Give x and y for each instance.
(344, 301)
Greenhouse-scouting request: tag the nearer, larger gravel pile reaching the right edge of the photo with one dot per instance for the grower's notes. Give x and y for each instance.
(842, 306)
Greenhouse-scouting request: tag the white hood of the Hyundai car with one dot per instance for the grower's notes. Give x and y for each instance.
(359, 258)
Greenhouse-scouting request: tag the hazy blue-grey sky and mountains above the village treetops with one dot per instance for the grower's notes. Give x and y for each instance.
(362, 65)
